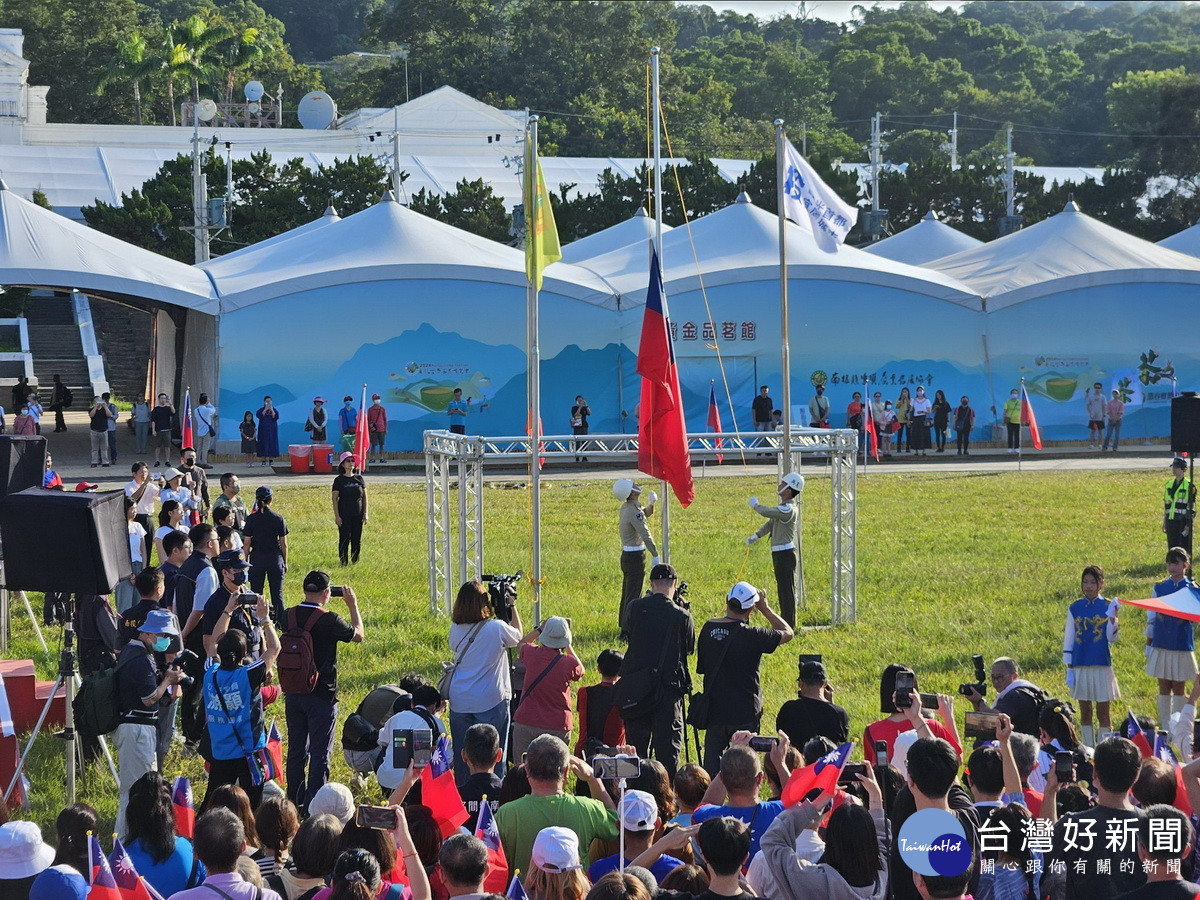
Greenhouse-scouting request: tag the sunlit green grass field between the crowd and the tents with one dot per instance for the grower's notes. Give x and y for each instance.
(949, 566)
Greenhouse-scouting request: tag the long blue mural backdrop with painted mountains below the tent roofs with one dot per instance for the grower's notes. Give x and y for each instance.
(415, 343)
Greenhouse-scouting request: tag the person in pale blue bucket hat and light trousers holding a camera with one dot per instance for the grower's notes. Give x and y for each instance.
(141, 692)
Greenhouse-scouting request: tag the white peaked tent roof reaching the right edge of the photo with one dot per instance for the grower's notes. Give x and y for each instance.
(1065, 253)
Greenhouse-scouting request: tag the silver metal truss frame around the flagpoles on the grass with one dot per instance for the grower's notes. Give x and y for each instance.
(455, 463)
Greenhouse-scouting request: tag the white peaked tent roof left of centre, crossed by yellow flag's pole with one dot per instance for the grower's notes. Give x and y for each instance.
(386, 243)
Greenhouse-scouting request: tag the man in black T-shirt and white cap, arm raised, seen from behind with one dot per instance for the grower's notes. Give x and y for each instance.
(729, 655)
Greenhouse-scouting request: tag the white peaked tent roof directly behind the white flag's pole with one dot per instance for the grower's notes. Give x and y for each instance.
(741, 244)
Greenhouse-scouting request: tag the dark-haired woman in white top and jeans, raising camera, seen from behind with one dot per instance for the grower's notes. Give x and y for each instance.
(478, 683)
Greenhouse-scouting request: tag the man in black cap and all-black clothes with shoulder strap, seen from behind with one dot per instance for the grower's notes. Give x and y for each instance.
(655, 675)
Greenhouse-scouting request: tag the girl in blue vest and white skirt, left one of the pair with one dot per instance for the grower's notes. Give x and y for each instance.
(1091, 628)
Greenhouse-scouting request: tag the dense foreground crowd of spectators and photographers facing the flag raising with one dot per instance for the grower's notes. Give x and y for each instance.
(620, 814)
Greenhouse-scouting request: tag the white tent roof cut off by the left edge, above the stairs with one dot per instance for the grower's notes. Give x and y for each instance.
(43, 249)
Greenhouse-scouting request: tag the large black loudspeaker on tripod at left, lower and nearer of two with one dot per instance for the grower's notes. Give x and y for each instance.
(58, 541)
